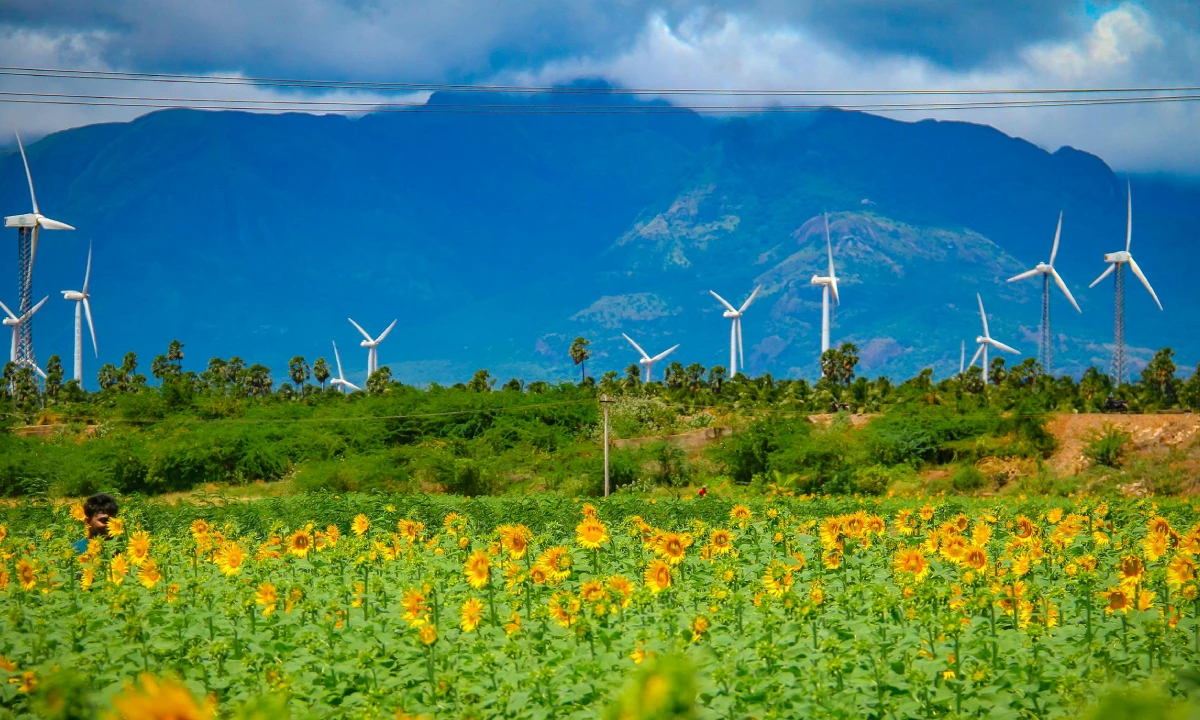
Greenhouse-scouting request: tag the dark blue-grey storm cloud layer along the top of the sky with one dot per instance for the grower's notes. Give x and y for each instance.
(455, 39)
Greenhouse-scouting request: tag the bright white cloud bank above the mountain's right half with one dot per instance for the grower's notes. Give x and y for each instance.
(1121, 49)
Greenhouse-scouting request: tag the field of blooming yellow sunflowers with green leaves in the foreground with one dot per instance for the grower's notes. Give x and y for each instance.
(377, 607)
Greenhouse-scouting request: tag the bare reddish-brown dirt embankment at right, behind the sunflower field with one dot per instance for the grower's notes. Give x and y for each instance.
(1150, 435)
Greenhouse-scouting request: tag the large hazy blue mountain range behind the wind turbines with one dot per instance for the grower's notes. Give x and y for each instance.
(499, 237)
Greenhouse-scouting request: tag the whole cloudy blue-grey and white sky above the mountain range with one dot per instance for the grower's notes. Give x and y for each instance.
(641, 44)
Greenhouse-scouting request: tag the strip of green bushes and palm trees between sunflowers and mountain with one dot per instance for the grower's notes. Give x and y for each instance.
(232, 424)
